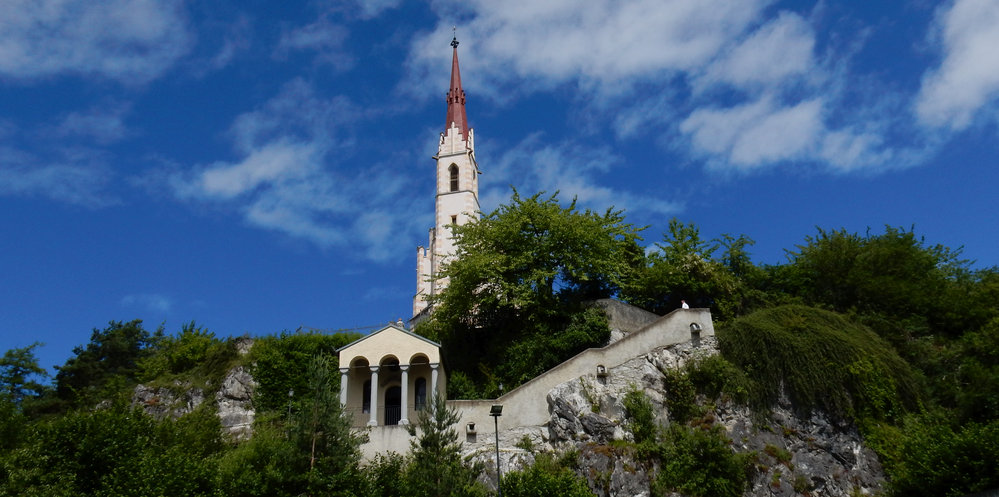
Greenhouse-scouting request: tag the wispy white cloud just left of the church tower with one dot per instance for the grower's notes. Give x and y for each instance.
(290, 176)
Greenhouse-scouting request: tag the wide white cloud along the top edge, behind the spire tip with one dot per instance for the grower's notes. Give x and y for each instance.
(608, 44)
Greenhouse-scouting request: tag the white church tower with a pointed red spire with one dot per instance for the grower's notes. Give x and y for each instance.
(457, 199)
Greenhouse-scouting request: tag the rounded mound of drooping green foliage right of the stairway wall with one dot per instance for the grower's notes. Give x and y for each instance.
(821, 360)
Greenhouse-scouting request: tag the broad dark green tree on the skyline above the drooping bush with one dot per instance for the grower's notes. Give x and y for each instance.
(917, 289)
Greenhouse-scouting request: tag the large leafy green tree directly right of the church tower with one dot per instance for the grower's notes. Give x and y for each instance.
(520, 275)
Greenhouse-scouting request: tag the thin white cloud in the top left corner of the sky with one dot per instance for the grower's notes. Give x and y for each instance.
(126, 40)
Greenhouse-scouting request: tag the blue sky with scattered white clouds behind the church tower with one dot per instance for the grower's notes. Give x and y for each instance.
(261, 166)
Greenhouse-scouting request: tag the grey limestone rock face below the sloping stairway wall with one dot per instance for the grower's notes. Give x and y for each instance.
(797, 455)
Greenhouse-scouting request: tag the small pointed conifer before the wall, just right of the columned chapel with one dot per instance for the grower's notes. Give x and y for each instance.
(437, 469)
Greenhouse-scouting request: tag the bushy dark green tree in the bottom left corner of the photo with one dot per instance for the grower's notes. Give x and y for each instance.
(116, 451)
